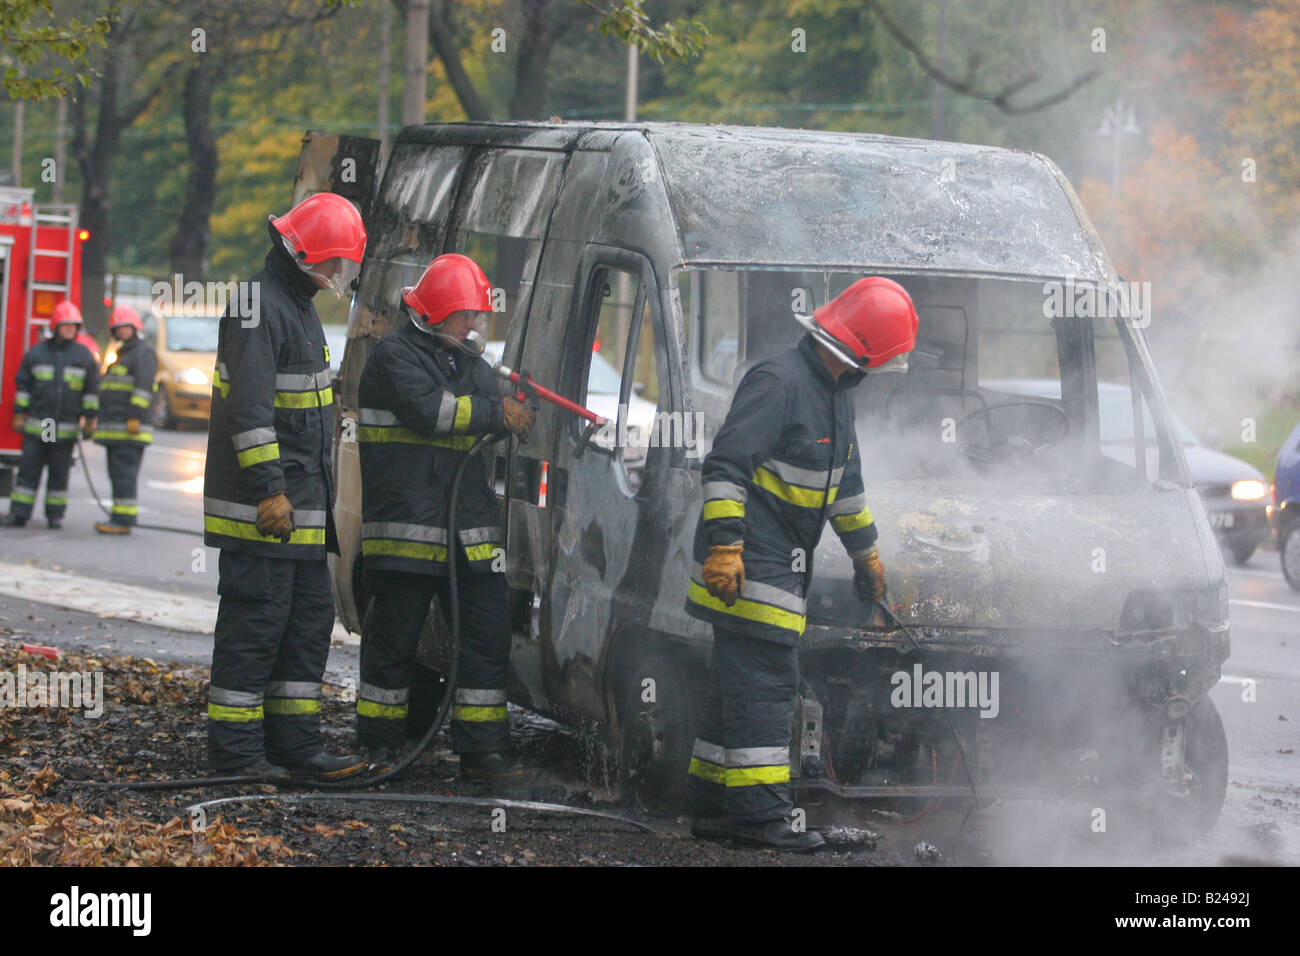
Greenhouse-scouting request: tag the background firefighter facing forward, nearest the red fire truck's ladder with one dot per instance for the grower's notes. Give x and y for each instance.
(58, 393)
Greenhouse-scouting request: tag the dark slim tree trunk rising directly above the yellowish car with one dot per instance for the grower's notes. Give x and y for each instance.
(194, 227)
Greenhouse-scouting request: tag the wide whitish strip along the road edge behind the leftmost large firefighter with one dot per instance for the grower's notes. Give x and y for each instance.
(125, 602)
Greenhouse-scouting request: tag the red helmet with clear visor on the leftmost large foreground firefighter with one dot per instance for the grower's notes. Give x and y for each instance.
(327, 239)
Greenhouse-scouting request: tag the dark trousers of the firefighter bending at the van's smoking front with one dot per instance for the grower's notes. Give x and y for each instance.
(740, 767)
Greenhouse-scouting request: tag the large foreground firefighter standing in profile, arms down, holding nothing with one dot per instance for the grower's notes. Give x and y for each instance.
(268, 490)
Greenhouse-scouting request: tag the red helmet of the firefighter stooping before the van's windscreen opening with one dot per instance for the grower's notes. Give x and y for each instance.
(870, 323)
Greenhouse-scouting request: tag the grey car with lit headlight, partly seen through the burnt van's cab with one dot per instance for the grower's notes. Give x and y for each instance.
(1234, 492)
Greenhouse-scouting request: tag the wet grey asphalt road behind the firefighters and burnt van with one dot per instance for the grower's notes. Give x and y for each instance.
(1259, 697)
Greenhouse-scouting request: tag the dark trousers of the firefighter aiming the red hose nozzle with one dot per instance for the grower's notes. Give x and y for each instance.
(391, 634)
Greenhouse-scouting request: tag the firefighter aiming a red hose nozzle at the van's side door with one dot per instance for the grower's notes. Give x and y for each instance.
(424, 396)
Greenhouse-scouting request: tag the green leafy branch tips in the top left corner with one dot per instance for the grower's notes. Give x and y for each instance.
(33, 44)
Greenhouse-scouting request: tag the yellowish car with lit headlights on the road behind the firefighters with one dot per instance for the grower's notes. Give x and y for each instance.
(187, 344)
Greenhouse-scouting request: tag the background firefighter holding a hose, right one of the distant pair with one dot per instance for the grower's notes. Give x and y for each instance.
(124, 429)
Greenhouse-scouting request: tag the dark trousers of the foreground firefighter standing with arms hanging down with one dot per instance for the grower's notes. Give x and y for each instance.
(268, 657)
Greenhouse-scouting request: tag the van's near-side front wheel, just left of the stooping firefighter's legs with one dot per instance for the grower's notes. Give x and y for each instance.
(657, 726)
